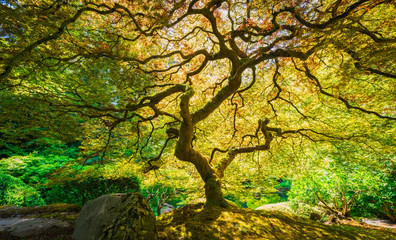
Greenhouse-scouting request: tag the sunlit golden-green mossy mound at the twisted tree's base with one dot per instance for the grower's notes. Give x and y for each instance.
(196, 222)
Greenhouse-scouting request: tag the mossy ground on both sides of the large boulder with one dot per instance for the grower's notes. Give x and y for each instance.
(195, 222)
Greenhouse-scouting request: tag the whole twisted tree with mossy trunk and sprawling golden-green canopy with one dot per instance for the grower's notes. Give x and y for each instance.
(213, 80)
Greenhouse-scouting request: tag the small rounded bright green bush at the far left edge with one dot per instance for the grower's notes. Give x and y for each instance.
(14, 191)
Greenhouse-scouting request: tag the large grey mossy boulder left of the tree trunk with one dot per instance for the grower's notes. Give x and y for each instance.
(116, 216)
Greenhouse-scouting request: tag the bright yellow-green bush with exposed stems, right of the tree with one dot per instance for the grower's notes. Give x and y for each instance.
(343, 190)
